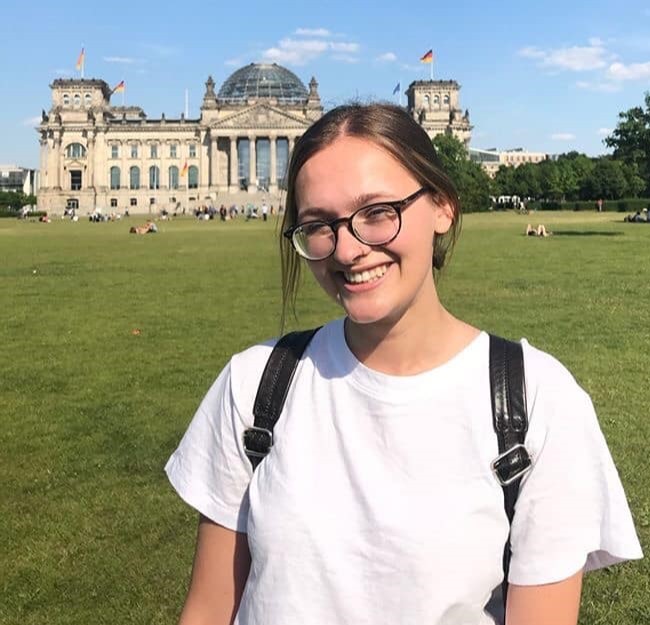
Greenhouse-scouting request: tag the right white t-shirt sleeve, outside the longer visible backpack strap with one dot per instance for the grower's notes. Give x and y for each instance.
(571, 511)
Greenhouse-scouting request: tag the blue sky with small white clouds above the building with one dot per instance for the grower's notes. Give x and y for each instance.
(549, 76)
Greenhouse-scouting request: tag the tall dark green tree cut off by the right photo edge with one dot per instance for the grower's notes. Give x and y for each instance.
(631, 138)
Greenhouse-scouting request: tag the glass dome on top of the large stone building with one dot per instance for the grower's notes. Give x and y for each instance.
(263, 80)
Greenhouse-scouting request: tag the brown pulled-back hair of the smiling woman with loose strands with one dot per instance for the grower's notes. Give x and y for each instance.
(393, 129)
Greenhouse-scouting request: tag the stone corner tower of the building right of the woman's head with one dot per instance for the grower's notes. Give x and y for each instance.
(435, 104)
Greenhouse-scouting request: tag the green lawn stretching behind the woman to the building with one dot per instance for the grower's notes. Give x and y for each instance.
(90, 532)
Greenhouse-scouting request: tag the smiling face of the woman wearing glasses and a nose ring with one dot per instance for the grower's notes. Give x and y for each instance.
(346, 175)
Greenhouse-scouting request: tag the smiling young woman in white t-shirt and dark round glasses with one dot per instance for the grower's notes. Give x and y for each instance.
(377, 503)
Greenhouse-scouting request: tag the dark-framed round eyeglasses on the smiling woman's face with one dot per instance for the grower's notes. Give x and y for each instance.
(375, 224)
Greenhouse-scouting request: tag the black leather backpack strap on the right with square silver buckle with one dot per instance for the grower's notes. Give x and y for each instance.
(510, 421)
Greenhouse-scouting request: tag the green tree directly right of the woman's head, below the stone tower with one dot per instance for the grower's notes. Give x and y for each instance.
(471, 181)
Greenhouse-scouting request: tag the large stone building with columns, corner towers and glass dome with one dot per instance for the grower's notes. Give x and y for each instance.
(97, 154)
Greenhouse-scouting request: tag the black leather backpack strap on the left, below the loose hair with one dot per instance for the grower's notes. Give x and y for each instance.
(272, 392)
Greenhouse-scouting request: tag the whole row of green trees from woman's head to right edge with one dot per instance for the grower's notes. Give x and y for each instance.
(569, 177)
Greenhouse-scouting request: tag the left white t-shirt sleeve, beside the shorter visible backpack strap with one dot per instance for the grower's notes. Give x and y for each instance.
(209, 469)
